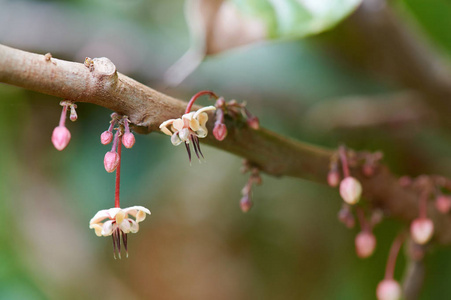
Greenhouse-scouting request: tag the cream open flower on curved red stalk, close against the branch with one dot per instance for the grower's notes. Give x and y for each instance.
(188, 129)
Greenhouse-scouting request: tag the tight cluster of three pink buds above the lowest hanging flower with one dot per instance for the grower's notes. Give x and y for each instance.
(123, 135)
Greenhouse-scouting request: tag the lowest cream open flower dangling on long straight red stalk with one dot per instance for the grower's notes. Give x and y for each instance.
(116, 222)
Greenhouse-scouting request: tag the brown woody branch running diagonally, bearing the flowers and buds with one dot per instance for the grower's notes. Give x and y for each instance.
(97, 82)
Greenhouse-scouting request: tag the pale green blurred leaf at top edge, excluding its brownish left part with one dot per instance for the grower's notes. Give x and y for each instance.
(297, 18)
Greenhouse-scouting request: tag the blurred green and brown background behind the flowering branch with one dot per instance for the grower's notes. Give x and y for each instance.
(197, 244)
